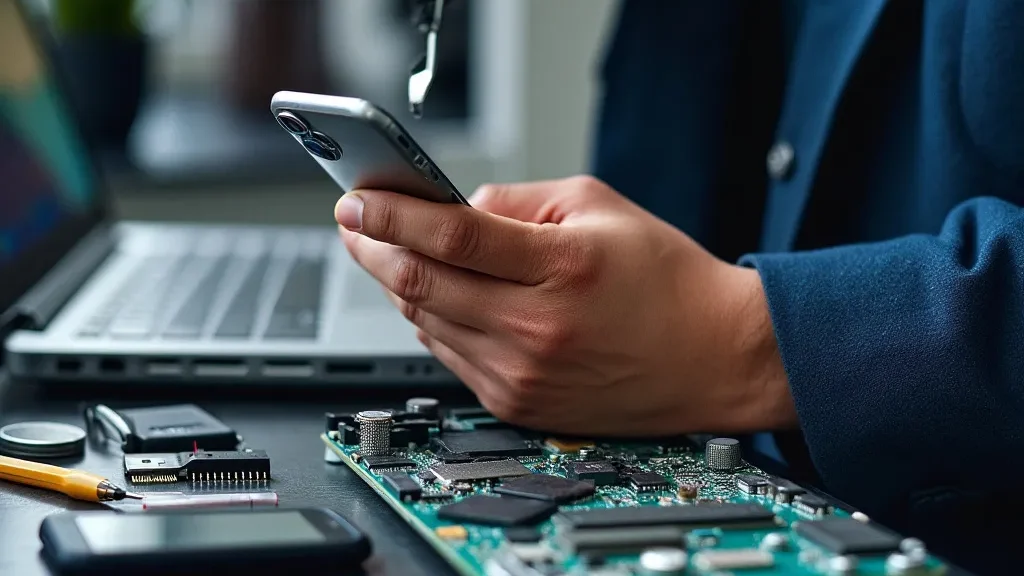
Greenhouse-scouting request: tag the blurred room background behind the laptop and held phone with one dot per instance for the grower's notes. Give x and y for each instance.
(177, 94)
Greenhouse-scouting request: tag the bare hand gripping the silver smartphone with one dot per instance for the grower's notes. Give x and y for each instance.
(567, 308)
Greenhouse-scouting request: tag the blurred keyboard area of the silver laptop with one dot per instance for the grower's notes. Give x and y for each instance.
(199, 297)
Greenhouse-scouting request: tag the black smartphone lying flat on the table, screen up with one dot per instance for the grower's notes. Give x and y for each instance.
(296, 542)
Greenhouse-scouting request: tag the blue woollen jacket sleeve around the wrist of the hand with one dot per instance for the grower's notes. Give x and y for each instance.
(906, 359)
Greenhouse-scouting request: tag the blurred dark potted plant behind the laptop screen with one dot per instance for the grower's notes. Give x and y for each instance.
(102, 53)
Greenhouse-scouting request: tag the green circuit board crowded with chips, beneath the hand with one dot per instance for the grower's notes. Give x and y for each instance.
(495, 501)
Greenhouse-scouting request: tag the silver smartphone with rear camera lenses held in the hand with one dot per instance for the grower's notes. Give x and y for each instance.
(361, 146)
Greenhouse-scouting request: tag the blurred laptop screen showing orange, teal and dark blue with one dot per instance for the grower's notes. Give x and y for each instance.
(48, 185)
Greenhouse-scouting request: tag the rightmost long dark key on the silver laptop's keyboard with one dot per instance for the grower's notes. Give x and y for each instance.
(296, 315)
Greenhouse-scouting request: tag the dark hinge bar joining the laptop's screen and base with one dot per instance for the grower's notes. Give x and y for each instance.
(37, 308)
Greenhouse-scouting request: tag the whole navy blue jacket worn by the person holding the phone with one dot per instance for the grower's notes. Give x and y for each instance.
(891, 249)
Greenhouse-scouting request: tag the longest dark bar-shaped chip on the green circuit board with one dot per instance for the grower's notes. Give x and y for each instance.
(721, 515)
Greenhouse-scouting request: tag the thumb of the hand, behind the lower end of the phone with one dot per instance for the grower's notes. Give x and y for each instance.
(542, 201)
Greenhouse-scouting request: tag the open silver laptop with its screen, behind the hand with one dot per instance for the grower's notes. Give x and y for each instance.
(84, 298)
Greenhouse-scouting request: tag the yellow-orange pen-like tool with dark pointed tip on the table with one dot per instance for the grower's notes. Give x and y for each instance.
(76, 484)
